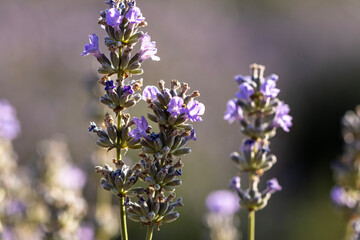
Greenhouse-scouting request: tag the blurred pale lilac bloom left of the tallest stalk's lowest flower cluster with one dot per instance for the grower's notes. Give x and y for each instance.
(71, 177)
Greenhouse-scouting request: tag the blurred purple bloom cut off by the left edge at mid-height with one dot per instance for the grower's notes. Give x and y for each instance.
(9, 124)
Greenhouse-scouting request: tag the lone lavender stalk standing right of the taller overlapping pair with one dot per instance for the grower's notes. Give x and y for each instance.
(259, 112)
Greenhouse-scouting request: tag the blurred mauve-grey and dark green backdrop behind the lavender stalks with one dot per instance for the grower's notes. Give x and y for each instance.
(313, 45)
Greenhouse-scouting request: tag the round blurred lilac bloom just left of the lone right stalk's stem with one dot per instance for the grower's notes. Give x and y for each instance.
(223, 202)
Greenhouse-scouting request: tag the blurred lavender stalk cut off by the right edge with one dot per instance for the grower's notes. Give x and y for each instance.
(345, 195)
